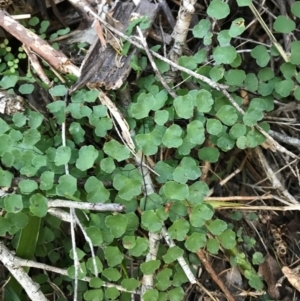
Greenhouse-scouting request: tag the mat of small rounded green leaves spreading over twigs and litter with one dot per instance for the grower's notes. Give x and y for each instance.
(197, 126)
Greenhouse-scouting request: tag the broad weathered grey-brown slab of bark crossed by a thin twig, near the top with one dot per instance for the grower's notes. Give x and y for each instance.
(100, 68)
